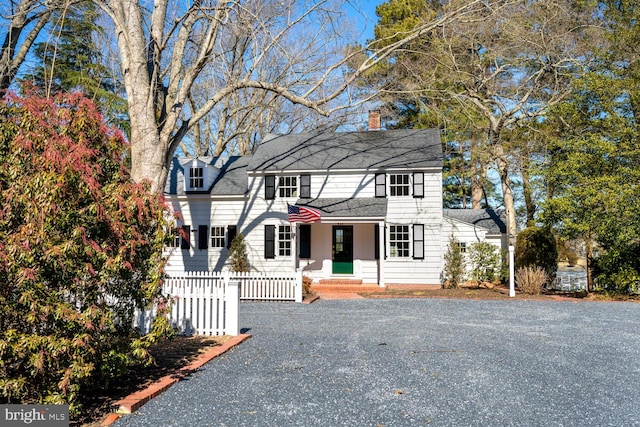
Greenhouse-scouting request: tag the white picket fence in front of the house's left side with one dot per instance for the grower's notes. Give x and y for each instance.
(207, 303)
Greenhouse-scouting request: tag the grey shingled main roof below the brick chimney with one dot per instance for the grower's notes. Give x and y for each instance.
(371, 150)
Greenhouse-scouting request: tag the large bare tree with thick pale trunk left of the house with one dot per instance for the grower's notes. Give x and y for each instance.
(163, 57)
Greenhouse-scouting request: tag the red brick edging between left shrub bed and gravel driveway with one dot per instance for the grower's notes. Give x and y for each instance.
(134, 401)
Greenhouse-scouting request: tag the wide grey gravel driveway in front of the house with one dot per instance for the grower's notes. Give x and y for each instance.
(416, 362)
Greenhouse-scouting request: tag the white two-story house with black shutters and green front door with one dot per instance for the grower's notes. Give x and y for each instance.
(378, 195)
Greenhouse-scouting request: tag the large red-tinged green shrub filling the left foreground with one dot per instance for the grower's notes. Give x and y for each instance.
(80, 249)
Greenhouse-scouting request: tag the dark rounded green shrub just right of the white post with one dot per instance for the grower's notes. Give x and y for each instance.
(536, 247)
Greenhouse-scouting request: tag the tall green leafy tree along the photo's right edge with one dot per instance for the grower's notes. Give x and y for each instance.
(592, 173)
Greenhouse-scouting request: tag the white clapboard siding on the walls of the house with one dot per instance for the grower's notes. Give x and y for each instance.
(251, 213)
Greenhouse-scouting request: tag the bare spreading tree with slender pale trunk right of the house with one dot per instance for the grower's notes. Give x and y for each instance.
(507, 62)
